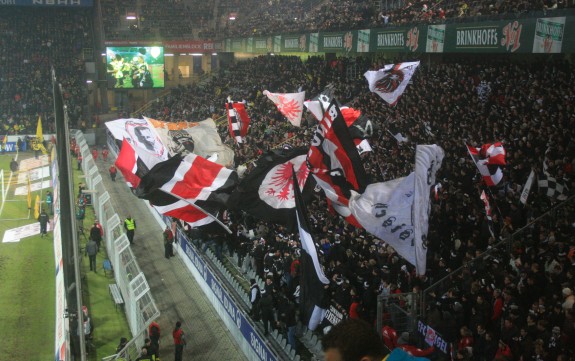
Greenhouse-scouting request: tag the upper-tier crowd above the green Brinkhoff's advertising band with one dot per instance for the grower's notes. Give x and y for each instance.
(157, 20)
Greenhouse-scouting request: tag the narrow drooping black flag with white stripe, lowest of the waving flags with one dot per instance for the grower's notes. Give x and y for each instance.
(312, 277)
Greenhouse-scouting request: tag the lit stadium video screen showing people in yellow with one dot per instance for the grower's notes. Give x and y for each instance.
(135, 67)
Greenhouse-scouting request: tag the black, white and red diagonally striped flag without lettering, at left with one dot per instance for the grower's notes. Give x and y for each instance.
(192, 179)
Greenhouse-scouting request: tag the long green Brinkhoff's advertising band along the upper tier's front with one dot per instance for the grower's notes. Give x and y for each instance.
(527, 35)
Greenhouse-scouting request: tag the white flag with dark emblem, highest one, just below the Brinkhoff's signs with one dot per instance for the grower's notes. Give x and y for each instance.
(390, 81)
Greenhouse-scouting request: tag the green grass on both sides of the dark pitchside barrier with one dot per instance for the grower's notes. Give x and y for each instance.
(27, 278)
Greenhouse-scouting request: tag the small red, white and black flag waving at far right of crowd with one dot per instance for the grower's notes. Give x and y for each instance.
(489, 159)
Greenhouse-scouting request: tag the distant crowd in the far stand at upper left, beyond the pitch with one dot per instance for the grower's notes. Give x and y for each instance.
(33, 41)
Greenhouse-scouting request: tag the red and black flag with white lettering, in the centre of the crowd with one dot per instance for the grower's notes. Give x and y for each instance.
(335, 163)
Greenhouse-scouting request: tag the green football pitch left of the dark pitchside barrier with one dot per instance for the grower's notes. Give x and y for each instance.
(27, 277)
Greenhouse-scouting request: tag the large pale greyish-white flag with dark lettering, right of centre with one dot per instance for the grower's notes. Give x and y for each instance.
(397, 211)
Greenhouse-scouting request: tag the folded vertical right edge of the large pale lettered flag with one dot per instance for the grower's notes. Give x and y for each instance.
(428, 160)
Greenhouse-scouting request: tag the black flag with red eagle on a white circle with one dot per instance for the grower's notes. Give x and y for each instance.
(266, 192)
